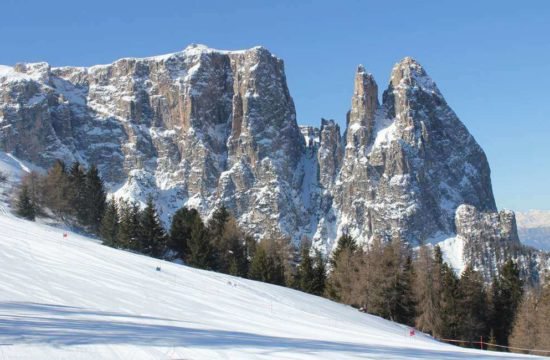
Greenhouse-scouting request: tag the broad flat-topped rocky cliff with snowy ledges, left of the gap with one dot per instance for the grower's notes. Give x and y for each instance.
(199, 127)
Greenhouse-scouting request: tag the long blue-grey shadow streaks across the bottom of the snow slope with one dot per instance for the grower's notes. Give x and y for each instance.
(57, 325)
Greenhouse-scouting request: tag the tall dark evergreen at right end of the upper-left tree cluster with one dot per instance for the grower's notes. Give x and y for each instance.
(95, 199)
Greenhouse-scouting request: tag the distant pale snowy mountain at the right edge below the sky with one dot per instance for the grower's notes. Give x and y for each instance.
(534, 228)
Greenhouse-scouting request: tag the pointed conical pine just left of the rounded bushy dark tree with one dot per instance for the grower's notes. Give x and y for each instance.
(152, 237)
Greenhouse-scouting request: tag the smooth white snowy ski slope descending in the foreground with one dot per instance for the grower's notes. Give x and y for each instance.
(72, 298)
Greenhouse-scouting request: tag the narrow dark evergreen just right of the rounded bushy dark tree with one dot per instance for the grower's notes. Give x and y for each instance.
(201, 253)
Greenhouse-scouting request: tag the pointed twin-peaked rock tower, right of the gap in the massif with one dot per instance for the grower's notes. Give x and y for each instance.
(411, 158)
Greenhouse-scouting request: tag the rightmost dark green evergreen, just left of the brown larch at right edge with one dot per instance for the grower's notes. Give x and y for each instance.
(507, 290)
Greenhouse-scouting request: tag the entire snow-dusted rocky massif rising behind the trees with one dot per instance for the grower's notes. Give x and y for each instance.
(205, 127)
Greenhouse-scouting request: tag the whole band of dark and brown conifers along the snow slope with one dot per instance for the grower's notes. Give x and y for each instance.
(387, 279)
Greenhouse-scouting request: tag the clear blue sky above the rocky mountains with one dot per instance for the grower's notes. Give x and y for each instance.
(491, 59)
